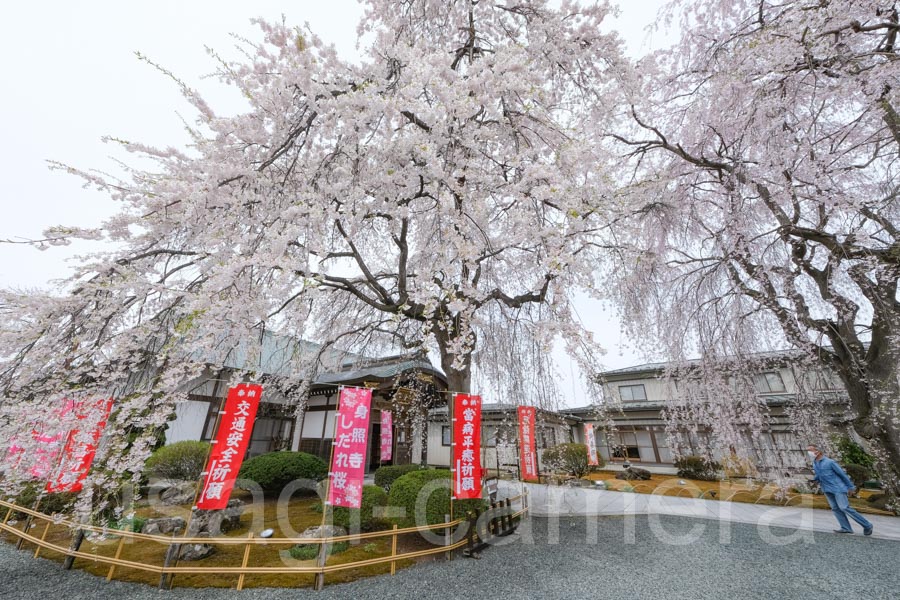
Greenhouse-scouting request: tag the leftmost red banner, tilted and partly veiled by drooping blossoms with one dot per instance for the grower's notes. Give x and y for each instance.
(78, 454)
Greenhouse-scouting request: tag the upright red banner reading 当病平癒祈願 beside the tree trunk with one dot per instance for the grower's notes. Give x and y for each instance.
(466, 465)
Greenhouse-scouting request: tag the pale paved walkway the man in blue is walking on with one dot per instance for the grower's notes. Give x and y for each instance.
(557, 501)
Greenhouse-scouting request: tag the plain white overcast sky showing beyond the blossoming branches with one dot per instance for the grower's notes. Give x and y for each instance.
(72, 77)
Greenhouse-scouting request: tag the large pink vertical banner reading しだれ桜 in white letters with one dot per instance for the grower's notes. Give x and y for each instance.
(348, 462)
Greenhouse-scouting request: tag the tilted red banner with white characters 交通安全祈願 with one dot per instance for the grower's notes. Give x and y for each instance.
(232, 439)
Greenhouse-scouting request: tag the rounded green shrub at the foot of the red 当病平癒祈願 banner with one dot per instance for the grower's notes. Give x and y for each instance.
(405, 491)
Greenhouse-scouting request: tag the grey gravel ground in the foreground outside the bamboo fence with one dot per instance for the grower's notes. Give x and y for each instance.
(608, 557)
